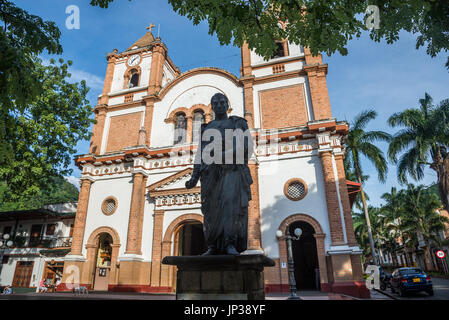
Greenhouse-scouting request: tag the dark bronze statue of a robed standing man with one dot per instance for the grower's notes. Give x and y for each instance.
(221, 164)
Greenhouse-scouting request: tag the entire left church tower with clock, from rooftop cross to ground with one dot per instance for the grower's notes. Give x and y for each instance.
(124, 115)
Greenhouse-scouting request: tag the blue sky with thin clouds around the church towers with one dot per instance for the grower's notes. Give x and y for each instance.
(387, 78)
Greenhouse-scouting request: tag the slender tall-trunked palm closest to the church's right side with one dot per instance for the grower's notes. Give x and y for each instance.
(360, 143)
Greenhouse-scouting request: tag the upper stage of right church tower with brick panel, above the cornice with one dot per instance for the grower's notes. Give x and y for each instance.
(287, 90)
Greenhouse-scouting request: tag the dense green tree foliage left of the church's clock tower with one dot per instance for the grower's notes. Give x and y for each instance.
(42, 113)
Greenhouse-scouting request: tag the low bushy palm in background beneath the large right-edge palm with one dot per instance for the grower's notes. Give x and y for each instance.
(420, 216)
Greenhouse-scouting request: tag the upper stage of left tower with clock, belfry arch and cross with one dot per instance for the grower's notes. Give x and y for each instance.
(133, 79)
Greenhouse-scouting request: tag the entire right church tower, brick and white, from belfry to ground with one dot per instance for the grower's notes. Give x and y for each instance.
(288, 93)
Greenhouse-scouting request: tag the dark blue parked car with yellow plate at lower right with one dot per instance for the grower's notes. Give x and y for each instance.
(405, 280)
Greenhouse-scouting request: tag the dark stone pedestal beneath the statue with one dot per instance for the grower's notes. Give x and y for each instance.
(221, 277)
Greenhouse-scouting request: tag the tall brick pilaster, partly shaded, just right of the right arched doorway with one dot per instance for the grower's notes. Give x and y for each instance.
(333, 208)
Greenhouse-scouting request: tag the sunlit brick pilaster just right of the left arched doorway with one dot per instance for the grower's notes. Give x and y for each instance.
(134, 242)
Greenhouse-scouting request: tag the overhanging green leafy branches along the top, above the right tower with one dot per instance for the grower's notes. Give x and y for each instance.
(322, 25)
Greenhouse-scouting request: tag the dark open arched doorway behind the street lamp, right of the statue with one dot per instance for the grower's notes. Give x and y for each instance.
(305, 257)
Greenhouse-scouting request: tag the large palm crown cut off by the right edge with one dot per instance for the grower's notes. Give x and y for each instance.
(425, 141)
